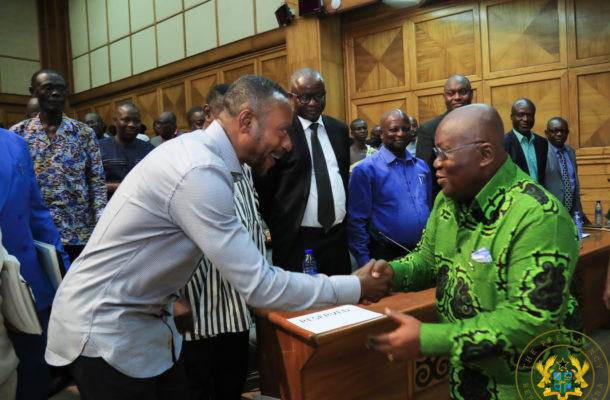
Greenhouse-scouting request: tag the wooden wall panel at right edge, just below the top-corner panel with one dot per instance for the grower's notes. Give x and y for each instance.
(593, 91)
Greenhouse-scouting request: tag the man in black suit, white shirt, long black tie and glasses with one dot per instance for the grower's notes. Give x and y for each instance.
(303, 197)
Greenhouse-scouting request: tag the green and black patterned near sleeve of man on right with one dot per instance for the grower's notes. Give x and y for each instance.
(538, 280)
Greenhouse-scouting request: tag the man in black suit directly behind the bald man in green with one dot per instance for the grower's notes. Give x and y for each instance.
(457, 93)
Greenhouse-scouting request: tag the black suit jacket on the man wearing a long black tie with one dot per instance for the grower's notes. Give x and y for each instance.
(284, 189)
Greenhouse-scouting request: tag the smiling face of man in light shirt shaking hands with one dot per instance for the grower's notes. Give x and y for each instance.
(269, 136)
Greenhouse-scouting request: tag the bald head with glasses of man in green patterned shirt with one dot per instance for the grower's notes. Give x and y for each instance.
(471, 140)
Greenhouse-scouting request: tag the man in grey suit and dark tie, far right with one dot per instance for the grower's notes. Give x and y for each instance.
(561, 175)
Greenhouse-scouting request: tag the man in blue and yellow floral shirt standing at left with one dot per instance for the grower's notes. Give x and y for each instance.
(67, 162)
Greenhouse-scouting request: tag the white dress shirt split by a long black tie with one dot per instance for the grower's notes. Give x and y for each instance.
(310, 218)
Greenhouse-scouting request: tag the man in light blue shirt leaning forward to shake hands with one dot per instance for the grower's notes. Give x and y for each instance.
(111, 321)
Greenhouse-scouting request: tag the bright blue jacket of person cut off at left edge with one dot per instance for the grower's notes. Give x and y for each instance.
(24, 217)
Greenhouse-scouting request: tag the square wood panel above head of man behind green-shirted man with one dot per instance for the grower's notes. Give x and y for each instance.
(443, 44)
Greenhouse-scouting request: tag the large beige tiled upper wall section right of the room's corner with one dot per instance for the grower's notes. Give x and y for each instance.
(116, 39)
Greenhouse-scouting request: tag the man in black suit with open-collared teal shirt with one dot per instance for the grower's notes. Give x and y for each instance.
(525, 148)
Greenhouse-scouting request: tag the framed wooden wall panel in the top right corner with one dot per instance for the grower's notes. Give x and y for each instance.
(588, 32)
